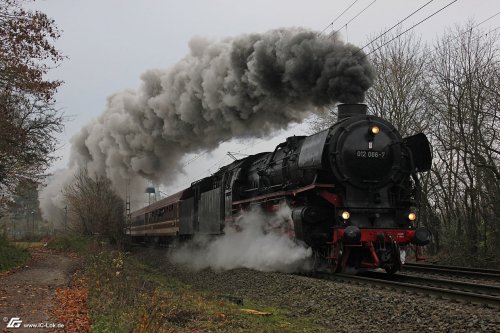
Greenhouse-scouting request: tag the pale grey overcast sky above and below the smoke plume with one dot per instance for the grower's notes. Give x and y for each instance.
(109, 44)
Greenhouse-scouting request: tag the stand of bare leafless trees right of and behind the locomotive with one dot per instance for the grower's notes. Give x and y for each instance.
(452, 93)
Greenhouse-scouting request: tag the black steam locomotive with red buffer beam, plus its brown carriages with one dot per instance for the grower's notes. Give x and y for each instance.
(353, 191)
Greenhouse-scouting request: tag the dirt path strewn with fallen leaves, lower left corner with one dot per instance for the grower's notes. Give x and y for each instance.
(27, 295)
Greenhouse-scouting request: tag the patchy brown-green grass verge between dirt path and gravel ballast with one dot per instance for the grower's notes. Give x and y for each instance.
(127, 296)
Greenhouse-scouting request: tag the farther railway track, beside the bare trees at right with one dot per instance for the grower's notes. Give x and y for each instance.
(463, 272)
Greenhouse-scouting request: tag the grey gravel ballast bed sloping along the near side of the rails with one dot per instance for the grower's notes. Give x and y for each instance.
(338, 306)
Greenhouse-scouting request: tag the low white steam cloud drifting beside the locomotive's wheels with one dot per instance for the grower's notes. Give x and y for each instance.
(256, 240)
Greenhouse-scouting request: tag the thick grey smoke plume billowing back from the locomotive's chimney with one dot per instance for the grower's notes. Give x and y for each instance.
(246, 86)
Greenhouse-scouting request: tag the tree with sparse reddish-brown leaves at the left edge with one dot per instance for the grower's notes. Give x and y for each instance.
(28, 117)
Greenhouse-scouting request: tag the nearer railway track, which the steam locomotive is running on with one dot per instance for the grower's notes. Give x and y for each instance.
(447, 289)
